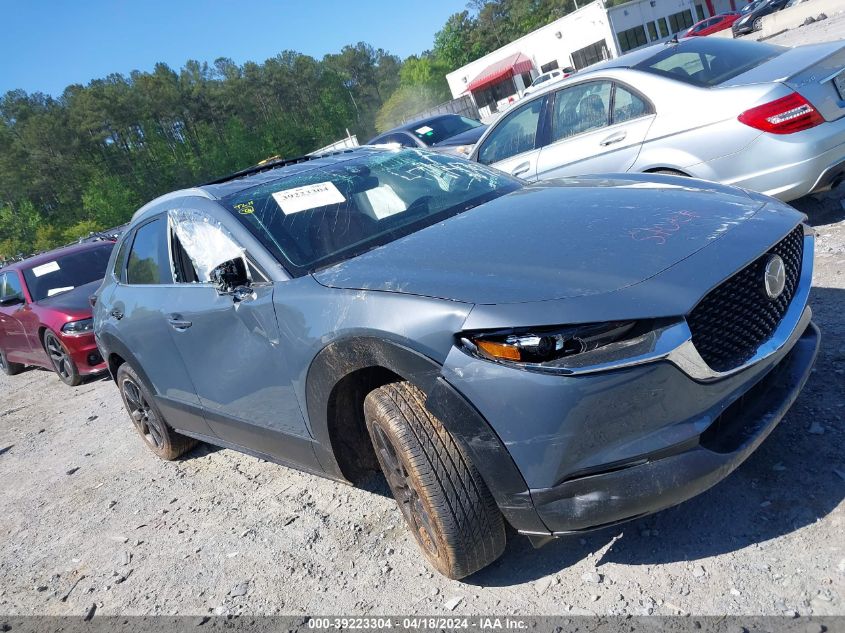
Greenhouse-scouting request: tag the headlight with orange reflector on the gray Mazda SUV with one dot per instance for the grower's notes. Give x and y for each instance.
(547, 345)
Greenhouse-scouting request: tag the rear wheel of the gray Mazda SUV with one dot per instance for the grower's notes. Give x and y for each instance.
(159, 437)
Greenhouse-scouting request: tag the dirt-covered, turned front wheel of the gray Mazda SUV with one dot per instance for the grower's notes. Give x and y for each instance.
(446, 504)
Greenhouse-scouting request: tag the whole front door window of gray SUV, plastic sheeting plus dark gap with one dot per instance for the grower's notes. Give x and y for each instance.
(199, 244)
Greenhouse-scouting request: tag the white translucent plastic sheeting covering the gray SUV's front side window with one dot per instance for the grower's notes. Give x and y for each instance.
(205, 240)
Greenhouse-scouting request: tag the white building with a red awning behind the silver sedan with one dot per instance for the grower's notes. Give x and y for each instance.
(585, 36)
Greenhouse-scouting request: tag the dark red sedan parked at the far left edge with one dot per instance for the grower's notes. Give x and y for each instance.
(45, 317)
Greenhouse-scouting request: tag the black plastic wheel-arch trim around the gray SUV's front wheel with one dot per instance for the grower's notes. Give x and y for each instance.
(461, 419)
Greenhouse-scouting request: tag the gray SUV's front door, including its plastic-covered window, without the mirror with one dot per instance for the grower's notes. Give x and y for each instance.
(231, 346)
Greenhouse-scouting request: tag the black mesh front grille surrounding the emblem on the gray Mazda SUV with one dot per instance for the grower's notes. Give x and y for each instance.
(737, 316)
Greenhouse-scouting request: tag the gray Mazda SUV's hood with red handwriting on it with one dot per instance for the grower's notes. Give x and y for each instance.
(554, 240)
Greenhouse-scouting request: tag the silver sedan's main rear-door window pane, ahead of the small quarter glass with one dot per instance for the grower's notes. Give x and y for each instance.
(581, 108)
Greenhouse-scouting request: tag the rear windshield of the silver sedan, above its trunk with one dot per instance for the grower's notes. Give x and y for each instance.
(708, 62)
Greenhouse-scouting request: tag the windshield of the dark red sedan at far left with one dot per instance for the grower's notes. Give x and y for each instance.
(67, 272)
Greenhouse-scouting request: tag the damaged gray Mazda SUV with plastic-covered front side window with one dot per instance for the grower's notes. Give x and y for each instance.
(557, 357)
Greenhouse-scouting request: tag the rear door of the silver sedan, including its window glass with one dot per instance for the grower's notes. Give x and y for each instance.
(596, 127)
